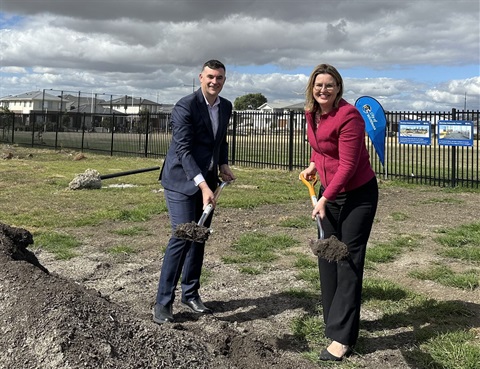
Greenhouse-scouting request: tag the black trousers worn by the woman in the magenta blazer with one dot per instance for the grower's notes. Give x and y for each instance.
(349, 218)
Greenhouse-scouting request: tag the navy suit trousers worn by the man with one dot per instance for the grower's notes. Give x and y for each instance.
(182, 258)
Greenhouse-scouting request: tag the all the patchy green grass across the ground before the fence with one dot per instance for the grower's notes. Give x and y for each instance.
(35, 196)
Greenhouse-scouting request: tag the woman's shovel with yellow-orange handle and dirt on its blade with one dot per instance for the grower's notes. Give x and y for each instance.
(331, 249)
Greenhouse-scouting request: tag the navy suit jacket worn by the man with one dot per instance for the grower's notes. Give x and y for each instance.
(193, 144)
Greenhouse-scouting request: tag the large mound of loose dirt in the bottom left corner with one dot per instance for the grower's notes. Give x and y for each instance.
(52, 322)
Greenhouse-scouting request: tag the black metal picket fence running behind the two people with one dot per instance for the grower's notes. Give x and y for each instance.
(256, 139)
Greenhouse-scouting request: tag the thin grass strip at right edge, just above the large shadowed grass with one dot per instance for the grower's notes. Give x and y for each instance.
(468, 279)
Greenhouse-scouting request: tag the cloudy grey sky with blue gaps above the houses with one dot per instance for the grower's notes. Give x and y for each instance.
(409, 55)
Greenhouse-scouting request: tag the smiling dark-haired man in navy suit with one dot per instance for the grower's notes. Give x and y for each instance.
(190, 175)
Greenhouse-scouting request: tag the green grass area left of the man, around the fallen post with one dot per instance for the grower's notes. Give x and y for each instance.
(43, 180)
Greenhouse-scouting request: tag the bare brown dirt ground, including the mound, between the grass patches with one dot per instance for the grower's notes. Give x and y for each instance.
(94, 311)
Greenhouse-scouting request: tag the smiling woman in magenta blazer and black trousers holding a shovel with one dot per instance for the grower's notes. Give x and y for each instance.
(347, 202)
